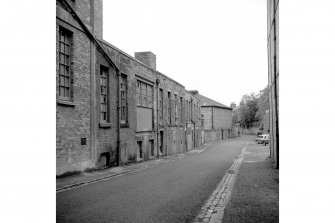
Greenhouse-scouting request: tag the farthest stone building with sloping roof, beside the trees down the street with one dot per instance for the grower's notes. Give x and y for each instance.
(216, 117)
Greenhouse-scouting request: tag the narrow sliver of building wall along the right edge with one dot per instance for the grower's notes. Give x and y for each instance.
(273, 76)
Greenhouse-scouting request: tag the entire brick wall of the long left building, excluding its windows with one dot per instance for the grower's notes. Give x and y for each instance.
(75, 123)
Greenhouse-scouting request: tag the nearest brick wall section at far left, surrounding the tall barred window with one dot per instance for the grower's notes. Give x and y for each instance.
(73, 122)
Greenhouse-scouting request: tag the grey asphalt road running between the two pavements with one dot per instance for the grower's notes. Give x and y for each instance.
(171, 192)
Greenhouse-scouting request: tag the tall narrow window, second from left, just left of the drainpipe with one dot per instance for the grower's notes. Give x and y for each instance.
(104, 96)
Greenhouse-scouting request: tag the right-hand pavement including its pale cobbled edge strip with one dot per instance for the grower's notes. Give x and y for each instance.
(248, 192)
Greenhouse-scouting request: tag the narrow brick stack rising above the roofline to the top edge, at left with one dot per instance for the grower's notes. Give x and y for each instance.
(97, 15)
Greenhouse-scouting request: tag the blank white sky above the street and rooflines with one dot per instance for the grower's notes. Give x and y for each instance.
(217, 47)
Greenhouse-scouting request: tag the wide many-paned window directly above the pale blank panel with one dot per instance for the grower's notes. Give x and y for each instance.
(144, 93)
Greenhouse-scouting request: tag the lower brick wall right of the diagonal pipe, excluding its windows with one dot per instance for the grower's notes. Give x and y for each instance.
(174, 133)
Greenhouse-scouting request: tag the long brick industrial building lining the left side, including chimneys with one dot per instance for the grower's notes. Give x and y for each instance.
(113, 108)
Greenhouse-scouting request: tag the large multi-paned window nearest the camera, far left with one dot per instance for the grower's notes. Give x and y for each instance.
(65, 77)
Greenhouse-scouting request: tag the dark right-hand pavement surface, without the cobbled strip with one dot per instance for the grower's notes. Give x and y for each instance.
(255, 197)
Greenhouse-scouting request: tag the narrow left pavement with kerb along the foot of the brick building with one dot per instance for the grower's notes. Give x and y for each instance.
(84, 178)
